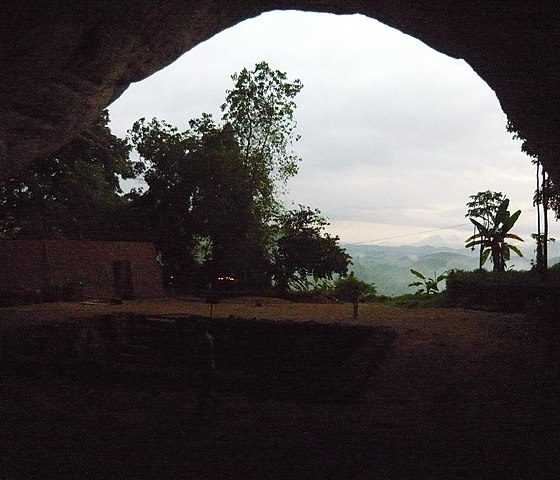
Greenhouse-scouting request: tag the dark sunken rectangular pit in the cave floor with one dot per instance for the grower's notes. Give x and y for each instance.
(258, 359)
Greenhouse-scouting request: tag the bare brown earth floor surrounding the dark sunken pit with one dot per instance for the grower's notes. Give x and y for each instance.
(459, 394)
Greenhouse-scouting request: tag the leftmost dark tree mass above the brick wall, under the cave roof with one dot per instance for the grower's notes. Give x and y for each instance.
(71, 193)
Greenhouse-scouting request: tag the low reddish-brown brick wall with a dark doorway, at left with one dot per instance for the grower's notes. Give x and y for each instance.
(85, 268)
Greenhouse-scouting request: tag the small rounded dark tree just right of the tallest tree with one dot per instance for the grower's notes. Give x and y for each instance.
(305, 250)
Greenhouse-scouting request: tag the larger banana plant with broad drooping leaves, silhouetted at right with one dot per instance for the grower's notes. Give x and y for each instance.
(493, 238)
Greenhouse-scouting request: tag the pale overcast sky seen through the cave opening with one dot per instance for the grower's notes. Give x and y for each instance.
(395, 136)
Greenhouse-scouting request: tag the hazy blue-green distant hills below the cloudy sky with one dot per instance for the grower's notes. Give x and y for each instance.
(389, 267)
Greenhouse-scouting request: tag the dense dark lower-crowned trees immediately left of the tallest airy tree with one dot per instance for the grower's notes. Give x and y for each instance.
(199, 195)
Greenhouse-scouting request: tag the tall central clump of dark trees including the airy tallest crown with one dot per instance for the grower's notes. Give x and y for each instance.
(216, 184)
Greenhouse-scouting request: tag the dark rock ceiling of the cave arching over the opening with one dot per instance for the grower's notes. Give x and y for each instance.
(63, 62)
